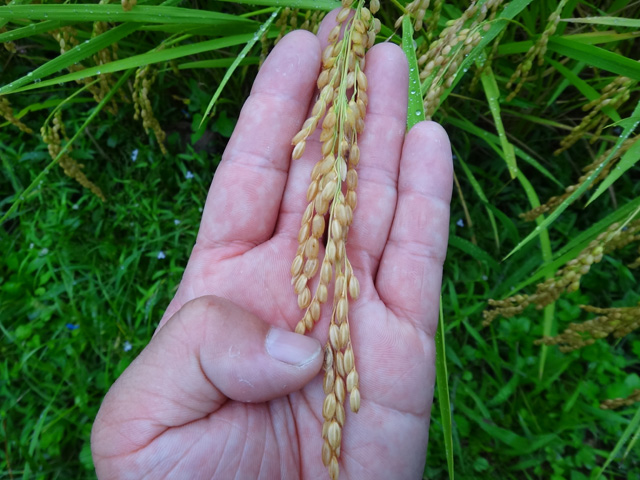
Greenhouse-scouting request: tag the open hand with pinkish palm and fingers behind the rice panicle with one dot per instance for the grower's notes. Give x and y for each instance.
(205, 399)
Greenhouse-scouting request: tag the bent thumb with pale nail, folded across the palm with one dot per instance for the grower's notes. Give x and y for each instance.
(210, 350)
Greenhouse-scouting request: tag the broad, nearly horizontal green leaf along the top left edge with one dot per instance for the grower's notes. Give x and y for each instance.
(114, 13)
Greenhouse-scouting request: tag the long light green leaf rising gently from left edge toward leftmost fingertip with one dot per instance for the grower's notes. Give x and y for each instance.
(137, 60)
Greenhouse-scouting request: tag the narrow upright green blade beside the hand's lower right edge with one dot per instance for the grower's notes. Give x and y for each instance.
(442, 379)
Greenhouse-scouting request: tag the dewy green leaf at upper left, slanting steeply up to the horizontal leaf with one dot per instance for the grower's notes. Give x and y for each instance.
(75, 55)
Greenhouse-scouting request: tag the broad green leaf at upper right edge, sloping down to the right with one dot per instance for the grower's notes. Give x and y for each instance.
(596, 56)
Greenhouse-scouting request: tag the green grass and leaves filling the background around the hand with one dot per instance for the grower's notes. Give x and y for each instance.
(84, 283)
